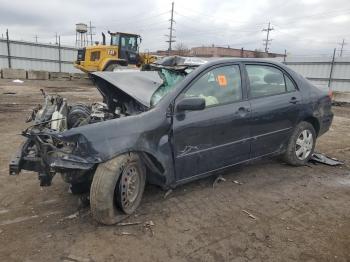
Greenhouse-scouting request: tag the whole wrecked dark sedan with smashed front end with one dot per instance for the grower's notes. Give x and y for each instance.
(169, 126)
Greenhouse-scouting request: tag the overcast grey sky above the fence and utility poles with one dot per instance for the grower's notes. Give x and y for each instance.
(302, 27)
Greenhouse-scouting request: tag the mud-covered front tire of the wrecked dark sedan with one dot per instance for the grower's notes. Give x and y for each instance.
(107, 191)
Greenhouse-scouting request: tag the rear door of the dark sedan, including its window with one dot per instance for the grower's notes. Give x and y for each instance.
(275, 102)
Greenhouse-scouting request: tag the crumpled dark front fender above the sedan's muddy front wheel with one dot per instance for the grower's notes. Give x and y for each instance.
(147, 132)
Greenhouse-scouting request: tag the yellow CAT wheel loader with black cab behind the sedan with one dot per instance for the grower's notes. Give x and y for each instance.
(123, 51)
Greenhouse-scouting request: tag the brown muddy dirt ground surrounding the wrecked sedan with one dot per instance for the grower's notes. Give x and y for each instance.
(300, 214)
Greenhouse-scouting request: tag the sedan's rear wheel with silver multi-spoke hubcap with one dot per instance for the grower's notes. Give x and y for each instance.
(300, 147)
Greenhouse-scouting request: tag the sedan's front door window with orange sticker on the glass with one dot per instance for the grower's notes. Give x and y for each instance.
(220, 85)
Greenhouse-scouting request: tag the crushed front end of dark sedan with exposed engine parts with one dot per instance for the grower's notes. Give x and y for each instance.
(47, 151)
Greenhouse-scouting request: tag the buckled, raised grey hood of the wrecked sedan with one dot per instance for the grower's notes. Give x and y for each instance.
(139, 85)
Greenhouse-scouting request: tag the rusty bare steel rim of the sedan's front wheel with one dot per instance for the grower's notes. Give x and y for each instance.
(130, 184)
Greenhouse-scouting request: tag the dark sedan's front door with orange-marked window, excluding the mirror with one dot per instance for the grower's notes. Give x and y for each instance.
(217, 136)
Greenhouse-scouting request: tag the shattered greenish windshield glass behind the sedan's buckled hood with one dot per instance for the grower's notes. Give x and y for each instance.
(170, 78)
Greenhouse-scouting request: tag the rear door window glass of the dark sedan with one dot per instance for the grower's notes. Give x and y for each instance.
(267, 80)
